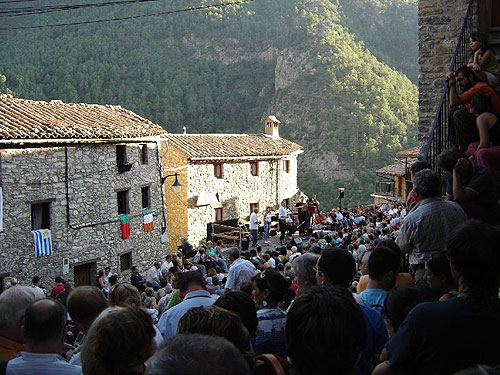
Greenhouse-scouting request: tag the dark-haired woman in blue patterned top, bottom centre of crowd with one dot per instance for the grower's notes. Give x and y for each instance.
(269, 288)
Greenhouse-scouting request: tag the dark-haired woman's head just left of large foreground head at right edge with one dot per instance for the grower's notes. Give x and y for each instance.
(438, 277)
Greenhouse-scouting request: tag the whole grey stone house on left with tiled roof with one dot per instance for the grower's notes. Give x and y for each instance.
(72, 169)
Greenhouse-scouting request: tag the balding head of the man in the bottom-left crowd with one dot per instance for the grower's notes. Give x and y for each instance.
(44, 322)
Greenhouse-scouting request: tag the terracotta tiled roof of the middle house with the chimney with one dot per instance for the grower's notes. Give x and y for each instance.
(231, 145)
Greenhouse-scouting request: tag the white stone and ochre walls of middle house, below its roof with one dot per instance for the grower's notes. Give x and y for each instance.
(236, 190)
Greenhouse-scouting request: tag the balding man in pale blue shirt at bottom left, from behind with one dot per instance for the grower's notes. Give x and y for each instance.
(44, 330)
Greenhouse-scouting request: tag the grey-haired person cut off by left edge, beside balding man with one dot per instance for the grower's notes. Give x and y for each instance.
(13, 304)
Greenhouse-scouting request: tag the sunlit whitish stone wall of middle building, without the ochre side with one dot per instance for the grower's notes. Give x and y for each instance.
(237, 190)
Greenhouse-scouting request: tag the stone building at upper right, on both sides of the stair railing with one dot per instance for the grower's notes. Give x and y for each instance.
(439, 26)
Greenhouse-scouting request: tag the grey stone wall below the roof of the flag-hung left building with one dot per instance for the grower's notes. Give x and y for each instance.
(84, 221)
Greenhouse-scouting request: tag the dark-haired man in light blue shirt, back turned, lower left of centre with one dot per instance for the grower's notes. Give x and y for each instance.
(193, 293)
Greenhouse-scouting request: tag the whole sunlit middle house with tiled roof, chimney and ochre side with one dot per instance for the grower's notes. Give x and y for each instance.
(225, 175)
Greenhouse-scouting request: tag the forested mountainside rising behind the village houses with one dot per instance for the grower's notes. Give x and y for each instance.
(335, 79)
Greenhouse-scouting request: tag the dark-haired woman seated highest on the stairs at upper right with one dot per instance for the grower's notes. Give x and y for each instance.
(483, 60)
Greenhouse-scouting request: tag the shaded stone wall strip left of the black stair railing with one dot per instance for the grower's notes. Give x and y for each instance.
(439, 24)
